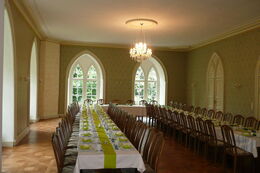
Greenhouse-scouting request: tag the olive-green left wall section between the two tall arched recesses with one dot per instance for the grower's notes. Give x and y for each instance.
(23, 41)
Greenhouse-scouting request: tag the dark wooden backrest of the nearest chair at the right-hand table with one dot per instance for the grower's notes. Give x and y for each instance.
(229, 139)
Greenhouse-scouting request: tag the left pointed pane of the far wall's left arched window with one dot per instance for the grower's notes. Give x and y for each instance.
(77, 84)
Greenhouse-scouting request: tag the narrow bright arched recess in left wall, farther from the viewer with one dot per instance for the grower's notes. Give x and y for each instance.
(33, 83)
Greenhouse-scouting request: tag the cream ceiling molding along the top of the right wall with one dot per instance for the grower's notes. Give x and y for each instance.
(241, 29)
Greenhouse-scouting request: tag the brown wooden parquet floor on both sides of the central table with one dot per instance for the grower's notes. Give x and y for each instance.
(35, 155)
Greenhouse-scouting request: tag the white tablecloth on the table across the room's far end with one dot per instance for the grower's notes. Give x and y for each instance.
(136, 110)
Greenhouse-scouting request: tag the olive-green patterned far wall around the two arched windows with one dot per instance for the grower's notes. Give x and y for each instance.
(119, 67)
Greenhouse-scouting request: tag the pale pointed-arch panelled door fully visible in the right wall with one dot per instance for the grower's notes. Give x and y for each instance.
(215, 83)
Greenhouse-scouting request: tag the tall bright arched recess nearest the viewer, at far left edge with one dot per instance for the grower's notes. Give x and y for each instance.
(8, 120)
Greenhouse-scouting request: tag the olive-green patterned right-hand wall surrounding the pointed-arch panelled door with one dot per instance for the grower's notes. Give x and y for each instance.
(239, 55)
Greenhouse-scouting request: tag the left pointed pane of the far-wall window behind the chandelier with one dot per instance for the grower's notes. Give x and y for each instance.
(139, 85)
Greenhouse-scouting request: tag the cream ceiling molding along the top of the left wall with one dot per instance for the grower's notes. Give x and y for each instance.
(20, 6)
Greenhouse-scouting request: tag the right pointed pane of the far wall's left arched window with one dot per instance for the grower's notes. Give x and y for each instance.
(92, 83)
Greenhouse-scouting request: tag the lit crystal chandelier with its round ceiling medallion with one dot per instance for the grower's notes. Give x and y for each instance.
(140, 51)
